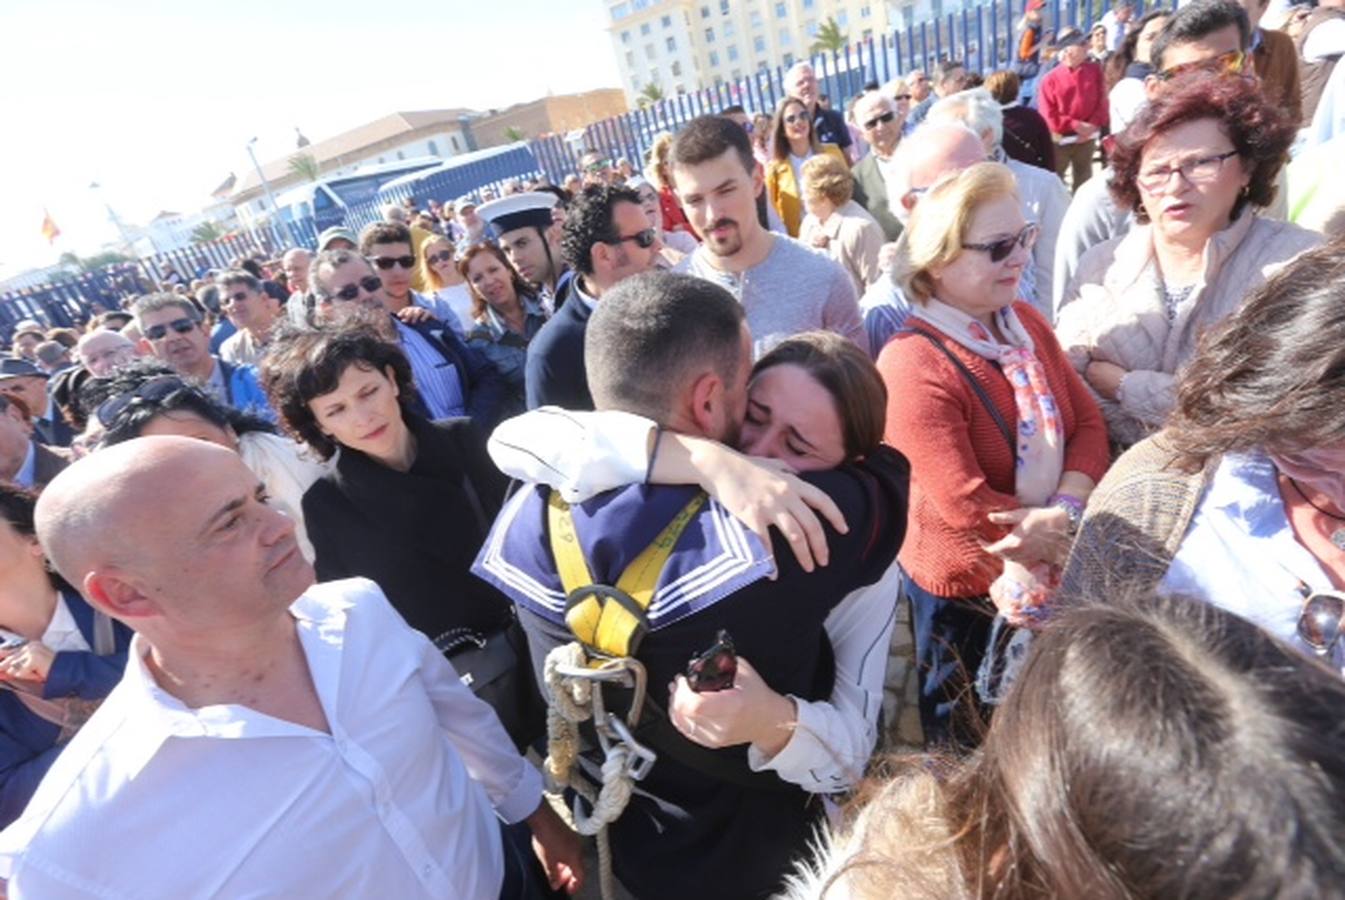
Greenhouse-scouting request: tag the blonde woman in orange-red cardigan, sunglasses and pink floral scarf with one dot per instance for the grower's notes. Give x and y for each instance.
(1004, 439)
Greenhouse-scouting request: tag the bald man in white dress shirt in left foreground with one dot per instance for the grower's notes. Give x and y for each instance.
(289, 739)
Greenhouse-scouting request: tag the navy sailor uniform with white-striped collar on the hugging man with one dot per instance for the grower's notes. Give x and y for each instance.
(715, 832)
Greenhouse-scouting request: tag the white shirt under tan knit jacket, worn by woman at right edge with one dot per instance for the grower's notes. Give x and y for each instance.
(1241, 552)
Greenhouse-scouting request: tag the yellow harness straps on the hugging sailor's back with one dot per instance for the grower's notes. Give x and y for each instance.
(610, 621)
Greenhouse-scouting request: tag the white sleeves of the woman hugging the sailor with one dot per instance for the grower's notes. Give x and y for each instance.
(590, 453)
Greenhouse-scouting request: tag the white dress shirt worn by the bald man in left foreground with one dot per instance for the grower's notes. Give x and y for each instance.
(154, 800)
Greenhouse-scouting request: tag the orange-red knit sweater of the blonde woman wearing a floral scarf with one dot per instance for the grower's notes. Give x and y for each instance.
(961, 466)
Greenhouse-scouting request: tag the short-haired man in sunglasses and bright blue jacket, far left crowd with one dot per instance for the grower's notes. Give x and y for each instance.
(173, 332)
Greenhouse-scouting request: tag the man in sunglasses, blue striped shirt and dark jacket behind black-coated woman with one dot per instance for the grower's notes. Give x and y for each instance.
(453, 379)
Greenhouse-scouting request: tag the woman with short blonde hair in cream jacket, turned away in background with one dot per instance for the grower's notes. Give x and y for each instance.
(837, 225)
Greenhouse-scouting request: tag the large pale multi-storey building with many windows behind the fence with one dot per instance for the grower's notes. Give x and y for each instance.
(684, 46)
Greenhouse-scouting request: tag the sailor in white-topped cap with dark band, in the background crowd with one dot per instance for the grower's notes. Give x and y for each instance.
(531, 239)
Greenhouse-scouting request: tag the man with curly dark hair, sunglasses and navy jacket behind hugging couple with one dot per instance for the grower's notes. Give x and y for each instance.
(607, 239)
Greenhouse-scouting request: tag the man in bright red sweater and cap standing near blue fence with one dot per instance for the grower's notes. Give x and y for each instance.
(1073, 99)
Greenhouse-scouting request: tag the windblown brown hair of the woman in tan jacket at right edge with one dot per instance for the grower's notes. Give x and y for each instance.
(1272, 376)
